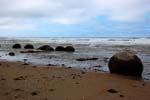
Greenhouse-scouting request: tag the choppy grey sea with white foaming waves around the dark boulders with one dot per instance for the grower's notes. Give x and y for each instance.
(101, 48)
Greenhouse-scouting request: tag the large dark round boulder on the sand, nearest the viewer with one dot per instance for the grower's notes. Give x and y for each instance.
(126, 63)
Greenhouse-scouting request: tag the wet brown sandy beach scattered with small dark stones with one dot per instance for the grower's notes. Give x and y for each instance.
(19, 81)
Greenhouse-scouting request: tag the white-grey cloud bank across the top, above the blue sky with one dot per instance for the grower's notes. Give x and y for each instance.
(75, 11)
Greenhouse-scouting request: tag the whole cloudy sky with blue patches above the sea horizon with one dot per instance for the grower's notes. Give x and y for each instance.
(74, 18)
